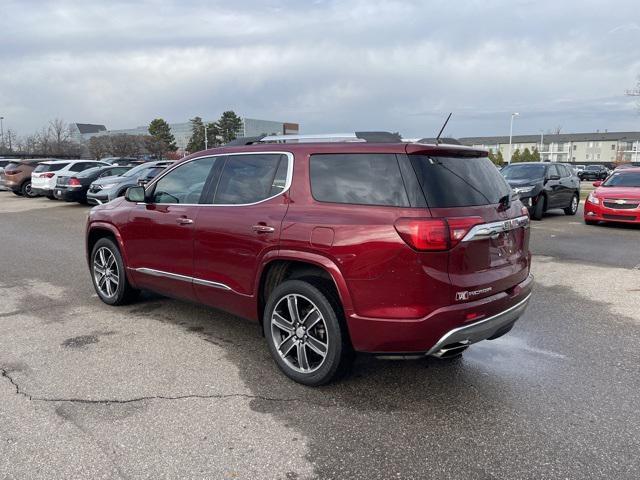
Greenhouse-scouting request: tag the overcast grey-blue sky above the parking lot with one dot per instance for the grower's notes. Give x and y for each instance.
(332, 66)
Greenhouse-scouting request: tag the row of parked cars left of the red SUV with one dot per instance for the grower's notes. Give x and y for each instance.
(85, 181)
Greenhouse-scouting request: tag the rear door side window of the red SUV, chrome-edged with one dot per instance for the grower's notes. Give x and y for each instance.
(251, 178)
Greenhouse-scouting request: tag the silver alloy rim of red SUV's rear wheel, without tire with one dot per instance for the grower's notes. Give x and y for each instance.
(299, 333)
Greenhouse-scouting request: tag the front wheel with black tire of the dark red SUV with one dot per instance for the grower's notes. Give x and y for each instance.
(109, 292)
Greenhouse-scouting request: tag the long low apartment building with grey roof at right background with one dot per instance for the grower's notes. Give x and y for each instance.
(598, 147)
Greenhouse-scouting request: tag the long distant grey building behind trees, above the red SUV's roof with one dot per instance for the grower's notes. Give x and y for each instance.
(250, 127)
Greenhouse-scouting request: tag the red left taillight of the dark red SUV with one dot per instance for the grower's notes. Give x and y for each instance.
(435, 234)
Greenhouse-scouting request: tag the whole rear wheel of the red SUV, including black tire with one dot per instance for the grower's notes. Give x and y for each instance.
(310, 295)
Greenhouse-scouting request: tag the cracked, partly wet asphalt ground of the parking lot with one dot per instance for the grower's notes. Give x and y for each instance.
(167, 389)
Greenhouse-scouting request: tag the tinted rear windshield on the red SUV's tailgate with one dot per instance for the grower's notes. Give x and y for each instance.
(459, 181)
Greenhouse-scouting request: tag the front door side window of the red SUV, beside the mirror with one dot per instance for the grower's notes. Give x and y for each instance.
(185, 183)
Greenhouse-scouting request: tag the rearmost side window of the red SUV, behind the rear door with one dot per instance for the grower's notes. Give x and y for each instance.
(362, 179)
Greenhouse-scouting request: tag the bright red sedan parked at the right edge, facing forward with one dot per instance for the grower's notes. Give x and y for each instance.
(617, 199)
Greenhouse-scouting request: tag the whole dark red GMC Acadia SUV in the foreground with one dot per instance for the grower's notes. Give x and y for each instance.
(335, 245)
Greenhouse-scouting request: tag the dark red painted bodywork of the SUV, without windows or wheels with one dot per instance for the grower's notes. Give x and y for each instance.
(395, 299)
